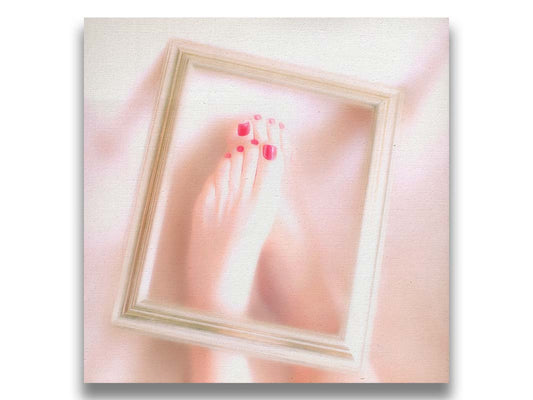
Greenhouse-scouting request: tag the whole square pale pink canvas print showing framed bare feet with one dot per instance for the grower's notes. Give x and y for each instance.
(266, 205)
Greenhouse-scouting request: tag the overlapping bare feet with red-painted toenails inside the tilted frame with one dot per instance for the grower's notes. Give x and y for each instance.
(232, 218)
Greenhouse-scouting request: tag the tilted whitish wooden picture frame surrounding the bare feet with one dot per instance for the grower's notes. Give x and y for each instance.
(345, 351)
